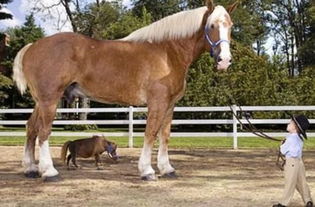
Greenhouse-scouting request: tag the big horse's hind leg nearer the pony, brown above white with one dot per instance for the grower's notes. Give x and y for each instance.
(47, 111)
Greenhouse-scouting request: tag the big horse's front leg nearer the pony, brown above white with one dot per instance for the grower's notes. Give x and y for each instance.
(156, 113)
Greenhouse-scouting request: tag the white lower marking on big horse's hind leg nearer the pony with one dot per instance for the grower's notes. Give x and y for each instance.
(46, 167)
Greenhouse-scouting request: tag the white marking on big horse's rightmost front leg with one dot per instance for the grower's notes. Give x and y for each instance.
(163, 159)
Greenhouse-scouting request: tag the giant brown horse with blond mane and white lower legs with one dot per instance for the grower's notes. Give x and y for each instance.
(148, 67)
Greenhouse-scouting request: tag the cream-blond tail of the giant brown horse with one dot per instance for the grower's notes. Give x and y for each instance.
(18, 75)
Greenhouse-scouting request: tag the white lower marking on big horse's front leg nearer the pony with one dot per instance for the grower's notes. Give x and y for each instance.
(144, 164)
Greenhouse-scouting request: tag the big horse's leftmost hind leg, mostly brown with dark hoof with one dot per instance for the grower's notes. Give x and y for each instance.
(33, 124)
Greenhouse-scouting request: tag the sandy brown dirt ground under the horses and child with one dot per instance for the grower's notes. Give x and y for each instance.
(207, 177)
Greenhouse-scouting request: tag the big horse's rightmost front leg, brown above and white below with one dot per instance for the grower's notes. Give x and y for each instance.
(164, 165)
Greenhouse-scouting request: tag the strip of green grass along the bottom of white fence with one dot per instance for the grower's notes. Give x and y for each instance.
(175, 142)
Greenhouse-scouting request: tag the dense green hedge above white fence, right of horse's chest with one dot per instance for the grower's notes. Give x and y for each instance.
(248, 76)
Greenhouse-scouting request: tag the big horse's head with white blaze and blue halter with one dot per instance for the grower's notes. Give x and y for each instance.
(218, 34)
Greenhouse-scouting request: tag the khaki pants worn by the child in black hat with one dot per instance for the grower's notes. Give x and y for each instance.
(294, 175)
